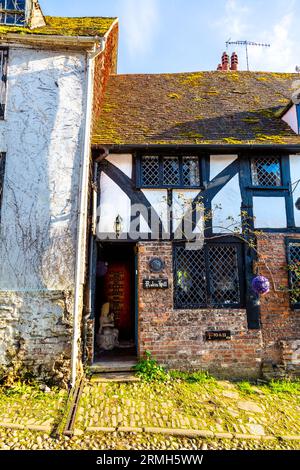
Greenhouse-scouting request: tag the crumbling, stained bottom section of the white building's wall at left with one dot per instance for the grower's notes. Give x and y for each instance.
(35, 329)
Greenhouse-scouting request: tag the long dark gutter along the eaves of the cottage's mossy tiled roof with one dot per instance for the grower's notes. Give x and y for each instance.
(219, 148)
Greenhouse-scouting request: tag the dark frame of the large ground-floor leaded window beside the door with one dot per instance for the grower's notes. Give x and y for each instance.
(223, 241)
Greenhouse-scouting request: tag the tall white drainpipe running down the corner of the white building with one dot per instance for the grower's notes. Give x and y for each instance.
(82, 214)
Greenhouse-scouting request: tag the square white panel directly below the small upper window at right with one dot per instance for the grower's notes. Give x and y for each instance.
(269, 212)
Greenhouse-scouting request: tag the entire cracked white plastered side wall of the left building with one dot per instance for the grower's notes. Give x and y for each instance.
(43, 138)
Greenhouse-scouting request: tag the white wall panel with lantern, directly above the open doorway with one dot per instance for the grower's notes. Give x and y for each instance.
(114, 202)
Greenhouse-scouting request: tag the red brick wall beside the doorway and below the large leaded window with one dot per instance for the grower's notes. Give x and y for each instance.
(176, 337)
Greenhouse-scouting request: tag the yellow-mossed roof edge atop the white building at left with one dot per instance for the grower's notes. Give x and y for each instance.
(60, 26)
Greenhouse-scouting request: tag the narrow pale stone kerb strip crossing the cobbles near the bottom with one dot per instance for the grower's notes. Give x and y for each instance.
(192, 433)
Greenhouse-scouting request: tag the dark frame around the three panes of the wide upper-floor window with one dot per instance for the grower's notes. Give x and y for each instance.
(161, 185)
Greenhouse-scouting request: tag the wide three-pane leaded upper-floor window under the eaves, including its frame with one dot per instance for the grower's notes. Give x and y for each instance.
(169, 171)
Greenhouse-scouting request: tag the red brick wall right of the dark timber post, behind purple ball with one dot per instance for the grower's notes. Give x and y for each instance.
(279, 321)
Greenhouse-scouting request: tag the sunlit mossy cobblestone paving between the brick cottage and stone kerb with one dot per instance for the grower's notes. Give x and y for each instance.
(218, 407)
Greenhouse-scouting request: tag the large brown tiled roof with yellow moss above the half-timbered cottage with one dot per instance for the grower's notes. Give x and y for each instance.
(196, 108)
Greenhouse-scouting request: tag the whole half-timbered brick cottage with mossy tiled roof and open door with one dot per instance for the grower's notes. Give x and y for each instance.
(210, 158)
